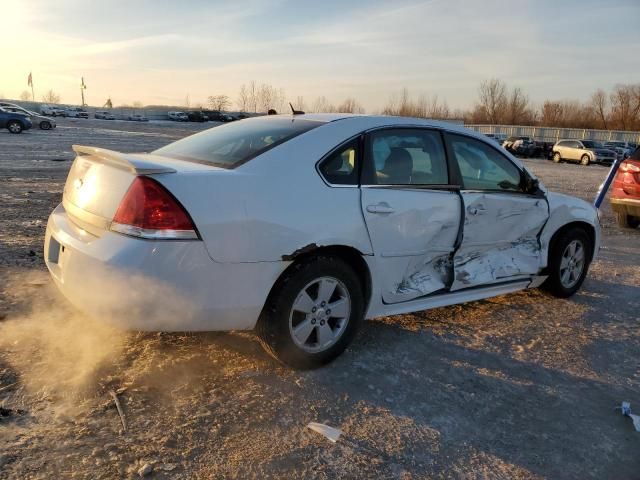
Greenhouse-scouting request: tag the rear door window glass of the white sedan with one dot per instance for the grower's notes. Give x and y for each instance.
(406, 157)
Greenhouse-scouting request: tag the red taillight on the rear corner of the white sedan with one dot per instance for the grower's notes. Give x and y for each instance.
(148, 210)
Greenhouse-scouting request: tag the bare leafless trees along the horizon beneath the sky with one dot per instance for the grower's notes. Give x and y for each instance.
(496, 103)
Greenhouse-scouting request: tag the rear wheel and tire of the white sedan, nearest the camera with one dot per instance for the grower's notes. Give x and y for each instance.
(313, 313)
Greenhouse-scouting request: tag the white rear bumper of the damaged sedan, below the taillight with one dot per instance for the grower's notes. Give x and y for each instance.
(154, 285)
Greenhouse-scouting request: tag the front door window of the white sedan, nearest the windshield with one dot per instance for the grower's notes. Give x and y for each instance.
(482, 167)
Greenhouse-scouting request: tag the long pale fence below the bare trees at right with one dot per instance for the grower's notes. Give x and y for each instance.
(551, 134)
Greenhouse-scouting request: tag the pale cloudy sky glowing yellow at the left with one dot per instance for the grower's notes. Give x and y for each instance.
(160, 52)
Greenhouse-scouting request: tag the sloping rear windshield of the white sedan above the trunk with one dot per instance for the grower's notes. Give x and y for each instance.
(235, 143)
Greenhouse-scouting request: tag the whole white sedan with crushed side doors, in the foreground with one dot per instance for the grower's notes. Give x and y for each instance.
(301, 226)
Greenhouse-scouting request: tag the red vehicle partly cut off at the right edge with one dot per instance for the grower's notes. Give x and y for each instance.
(625, 192)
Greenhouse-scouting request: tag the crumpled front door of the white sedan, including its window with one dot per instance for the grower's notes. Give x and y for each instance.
(504, 212)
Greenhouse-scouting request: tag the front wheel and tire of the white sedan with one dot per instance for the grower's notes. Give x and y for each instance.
(569, 260)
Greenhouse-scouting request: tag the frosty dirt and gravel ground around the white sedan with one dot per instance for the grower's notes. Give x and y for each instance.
(519, 386)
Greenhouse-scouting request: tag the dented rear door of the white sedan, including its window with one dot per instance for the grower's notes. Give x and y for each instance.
(411, 210)
